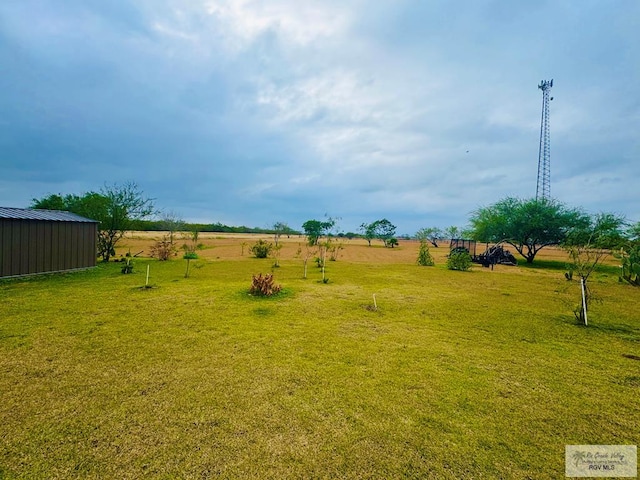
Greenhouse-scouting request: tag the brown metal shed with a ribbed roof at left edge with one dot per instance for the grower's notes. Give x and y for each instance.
(44, 241)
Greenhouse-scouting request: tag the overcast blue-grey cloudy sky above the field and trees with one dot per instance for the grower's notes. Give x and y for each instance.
(251, 112)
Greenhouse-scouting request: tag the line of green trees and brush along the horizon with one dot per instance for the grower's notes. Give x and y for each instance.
(529, 225)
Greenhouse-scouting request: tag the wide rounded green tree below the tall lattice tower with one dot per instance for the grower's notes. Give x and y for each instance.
(527, 225)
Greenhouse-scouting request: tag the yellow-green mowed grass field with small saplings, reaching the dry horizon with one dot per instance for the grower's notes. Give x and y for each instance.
(480, 374)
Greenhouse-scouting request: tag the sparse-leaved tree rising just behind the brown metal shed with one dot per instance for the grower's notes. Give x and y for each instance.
(115, 208)
